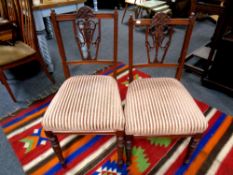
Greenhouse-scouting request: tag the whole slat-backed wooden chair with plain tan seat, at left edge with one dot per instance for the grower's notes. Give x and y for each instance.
(26, 49)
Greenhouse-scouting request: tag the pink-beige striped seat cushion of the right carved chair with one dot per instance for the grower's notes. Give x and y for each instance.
(161, 106)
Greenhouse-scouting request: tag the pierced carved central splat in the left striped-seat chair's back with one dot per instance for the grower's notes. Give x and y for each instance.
(87, 37)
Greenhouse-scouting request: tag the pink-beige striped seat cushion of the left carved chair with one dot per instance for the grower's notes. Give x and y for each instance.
(86, 104)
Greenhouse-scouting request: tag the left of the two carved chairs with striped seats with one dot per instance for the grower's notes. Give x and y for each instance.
(85, 104)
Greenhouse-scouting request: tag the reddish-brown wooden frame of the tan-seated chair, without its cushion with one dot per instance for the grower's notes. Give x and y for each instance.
(28, 36)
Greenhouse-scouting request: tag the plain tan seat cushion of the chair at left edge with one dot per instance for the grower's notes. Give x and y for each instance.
(10, 54)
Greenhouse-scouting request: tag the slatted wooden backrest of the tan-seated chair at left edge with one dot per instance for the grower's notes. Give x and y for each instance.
(27, 26)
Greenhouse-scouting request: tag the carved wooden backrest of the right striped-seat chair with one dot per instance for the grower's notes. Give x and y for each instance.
(159, 32)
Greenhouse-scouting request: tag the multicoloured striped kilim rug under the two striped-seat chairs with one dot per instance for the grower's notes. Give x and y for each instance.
(97, 154)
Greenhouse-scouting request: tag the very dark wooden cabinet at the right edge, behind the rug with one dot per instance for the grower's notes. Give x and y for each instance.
(219, 73)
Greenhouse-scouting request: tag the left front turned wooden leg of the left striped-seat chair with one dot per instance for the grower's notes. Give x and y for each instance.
(56, 146)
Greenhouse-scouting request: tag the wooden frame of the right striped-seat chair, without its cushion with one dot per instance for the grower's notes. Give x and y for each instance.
(160, 24)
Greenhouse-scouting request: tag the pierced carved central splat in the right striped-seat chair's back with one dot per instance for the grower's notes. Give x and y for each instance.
(161, 35)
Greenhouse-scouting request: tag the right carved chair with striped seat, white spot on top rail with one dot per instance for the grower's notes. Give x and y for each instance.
(161, 106)
